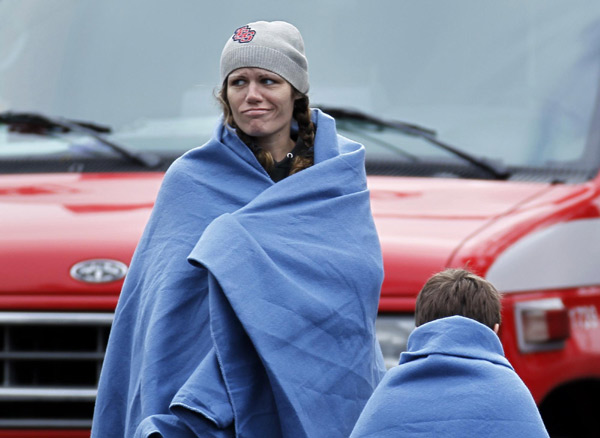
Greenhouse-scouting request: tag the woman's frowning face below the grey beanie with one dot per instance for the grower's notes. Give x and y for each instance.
(261, 104)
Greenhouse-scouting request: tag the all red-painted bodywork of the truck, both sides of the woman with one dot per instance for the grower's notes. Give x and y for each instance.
(425, 225)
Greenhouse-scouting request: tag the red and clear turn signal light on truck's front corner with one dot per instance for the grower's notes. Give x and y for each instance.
(542, 325)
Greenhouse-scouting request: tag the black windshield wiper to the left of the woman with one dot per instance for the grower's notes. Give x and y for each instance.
(34, 123)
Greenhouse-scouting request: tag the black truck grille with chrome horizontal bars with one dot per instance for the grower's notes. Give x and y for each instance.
(49, 368)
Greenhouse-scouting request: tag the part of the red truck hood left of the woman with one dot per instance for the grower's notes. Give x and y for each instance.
(50, 222)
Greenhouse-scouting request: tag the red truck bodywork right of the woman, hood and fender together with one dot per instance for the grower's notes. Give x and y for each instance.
(426, 225)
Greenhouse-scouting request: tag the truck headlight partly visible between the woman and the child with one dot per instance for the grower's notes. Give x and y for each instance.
(392, 333)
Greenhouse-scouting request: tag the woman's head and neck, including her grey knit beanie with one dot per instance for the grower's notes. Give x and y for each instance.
(261, 104)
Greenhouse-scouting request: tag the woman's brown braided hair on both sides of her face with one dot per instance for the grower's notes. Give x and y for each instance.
(306, 131)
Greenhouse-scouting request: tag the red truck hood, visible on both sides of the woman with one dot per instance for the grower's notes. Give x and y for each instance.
(50, 222)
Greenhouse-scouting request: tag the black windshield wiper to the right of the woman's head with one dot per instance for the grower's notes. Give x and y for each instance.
(496, 170)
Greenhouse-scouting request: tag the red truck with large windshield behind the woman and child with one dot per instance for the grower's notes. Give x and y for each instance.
(482, 129)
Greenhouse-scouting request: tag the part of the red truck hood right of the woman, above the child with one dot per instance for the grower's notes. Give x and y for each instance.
(422, 222)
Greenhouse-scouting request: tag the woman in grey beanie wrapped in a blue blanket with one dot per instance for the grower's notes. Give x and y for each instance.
(249, 307)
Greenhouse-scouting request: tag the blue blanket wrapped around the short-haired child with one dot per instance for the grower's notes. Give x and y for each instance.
(453, 381)
